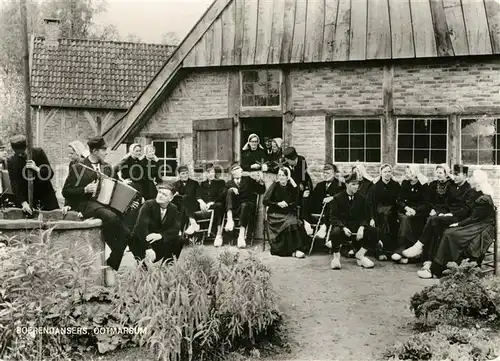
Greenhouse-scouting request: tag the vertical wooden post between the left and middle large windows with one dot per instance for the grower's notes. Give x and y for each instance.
(389, 122)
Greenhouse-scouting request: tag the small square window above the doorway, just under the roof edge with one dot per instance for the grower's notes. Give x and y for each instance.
(260, 88)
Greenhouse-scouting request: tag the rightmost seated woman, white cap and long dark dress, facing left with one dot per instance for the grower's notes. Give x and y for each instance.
(476, 231)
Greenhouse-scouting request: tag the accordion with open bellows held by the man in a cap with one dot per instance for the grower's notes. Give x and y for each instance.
(115, 194)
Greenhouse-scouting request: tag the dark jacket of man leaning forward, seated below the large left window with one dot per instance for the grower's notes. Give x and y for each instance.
(343, 214)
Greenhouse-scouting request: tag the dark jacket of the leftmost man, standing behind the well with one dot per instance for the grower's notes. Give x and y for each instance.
(43, 192)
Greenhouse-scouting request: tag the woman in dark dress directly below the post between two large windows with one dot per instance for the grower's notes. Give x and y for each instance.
(382, 207)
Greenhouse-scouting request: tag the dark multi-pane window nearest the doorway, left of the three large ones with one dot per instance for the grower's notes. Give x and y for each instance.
(357, 140)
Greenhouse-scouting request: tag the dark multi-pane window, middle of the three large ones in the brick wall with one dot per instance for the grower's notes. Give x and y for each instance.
(422, 140)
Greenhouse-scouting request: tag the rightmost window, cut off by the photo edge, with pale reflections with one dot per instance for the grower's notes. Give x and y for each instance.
(480, 140)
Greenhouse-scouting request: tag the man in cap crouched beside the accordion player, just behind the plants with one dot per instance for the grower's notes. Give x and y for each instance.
(158, 226)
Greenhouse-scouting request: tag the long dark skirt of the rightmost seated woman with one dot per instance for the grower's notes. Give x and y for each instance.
(455, 240)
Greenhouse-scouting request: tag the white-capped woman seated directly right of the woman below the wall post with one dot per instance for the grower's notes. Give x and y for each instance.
(412, 213)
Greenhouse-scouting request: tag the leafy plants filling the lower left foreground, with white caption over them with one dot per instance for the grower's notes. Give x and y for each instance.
(200, 308)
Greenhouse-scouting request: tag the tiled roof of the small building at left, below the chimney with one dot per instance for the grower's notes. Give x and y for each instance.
(93, 73)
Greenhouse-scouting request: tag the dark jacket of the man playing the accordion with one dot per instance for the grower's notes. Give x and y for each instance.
(78, 178)
